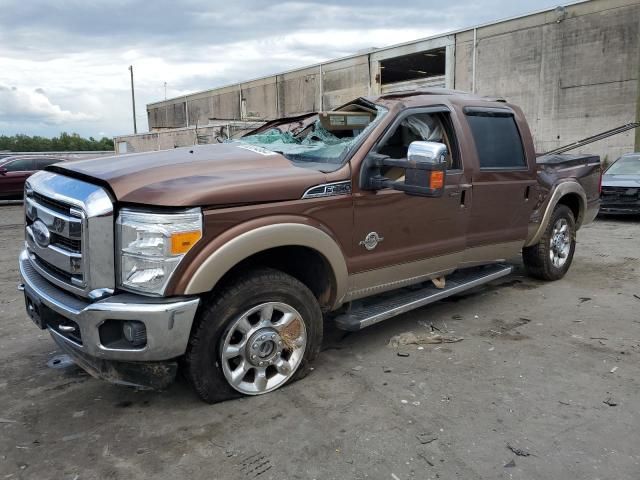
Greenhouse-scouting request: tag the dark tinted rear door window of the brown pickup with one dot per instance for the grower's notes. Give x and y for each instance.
(497, 140)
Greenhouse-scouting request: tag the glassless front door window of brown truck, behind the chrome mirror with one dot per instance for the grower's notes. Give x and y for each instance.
(428, 127)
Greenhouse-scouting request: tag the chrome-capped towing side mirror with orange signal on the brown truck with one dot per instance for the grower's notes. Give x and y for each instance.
(425, 169)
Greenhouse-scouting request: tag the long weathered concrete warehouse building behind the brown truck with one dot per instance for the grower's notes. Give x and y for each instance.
(574, 71)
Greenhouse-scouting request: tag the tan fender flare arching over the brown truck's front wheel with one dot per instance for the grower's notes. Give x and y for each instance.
(259, 239)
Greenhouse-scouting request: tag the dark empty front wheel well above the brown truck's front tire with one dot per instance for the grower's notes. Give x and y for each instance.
(305, 264)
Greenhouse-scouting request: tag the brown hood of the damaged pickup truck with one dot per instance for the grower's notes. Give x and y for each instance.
(202, 175)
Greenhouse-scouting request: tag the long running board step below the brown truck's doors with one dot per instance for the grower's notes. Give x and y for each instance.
(366, 312)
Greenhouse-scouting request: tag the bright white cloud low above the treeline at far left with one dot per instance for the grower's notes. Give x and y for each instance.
(23, 105)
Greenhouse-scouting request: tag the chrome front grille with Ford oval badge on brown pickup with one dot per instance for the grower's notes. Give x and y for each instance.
(69, 225)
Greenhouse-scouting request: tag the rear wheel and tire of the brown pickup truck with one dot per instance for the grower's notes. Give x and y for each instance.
(551, 257)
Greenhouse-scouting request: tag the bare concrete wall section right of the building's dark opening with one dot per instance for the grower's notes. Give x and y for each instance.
(574, 73)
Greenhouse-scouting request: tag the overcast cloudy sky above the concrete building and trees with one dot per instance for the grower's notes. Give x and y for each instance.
(64, 63)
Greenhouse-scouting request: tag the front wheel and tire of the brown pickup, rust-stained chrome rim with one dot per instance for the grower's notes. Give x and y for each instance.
(257, 334)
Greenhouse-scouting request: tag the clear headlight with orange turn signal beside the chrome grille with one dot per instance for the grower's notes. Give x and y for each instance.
(151, 246)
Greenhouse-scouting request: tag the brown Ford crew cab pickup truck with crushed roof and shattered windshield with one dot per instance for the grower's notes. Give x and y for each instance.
(224, 260)
